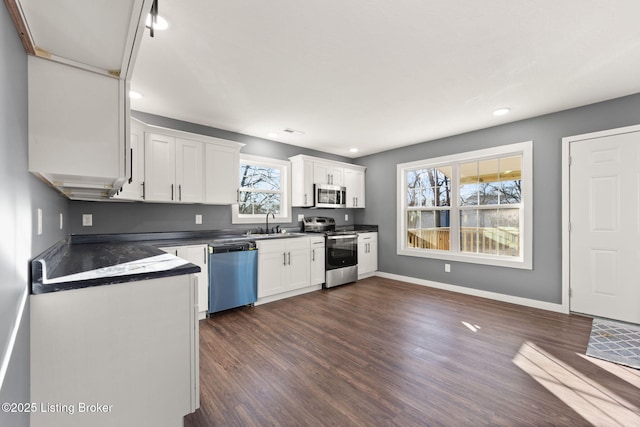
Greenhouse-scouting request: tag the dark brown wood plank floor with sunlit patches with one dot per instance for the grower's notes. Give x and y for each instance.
(381, 352)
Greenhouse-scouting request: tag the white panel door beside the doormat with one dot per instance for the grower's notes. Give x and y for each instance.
(605, 226)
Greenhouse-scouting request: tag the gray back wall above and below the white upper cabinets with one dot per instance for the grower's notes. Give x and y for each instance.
(123, 217)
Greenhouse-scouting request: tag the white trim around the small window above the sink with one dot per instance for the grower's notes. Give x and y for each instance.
(285, 211)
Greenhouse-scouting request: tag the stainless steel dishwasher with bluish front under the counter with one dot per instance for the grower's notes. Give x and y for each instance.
(233, 275)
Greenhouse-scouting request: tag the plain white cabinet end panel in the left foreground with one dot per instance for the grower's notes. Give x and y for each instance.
(100, 358)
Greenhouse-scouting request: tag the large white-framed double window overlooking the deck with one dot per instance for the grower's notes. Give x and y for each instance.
(472, 207)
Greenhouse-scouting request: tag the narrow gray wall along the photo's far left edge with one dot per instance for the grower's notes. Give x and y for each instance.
(22, 194)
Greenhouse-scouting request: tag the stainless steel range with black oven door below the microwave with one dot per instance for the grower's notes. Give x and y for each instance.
(341, 250)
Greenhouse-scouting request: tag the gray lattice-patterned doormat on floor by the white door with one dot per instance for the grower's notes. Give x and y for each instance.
(616, 342)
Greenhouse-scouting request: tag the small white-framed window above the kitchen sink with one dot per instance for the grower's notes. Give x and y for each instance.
(263, 187)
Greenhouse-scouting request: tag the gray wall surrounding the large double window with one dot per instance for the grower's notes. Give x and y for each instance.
(544, 282)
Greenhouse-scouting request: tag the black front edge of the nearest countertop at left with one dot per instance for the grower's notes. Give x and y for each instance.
(38, 288)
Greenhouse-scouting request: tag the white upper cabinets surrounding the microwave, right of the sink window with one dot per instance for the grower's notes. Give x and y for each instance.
(306, 171)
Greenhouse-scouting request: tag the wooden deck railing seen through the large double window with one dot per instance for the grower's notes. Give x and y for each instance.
(497, 241)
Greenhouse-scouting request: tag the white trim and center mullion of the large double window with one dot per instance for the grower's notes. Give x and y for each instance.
(525, 260)
